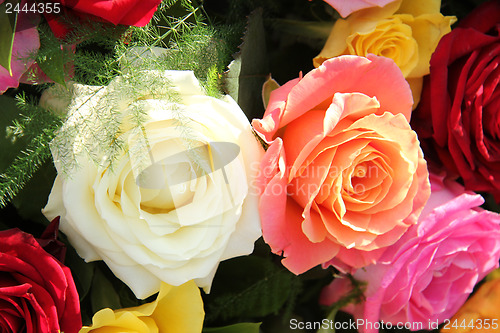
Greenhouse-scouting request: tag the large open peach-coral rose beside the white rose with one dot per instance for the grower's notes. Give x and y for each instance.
(344, 175)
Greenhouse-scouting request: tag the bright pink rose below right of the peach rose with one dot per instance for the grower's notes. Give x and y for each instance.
(428, 274)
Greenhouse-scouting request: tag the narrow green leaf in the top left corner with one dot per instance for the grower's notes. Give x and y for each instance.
(8, 22)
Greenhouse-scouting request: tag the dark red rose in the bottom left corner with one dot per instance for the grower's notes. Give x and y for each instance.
(37, 292)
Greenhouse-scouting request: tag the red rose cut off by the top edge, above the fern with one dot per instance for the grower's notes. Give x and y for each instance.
(127, 12)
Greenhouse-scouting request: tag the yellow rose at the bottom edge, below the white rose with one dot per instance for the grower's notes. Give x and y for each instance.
(176, 310)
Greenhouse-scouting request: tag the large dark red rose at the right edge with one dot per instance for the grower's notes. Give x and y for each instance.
(460, 108)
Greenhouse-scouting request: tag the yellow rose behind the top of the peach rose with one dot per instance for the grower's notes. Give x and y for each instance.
(407, 31)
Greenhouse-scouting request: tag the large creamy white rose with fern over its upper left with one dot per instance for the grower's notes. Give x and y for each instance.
(171, 216)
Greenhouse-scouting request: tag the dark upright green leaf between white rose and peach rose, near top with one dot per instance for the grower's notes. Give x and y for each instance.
(246, 74)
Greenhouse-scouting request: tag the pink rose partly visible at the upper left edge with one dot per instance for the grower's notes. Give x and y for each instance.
(26, 45)
